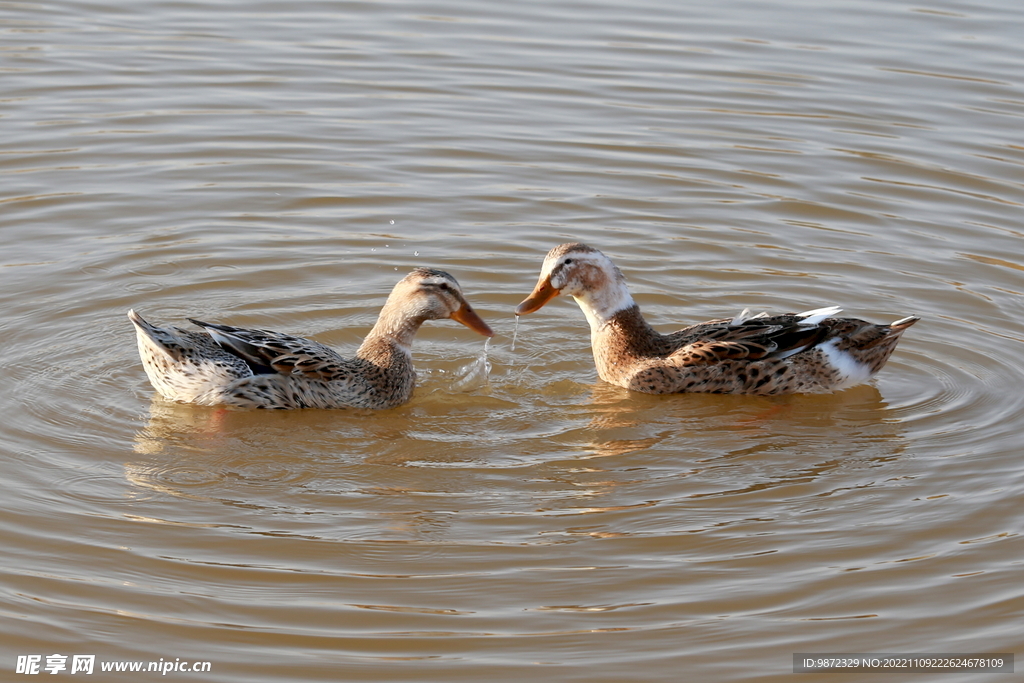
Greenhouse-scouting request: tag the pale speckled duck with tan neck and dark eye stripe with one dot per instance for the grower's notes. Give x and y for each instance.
(236, 367)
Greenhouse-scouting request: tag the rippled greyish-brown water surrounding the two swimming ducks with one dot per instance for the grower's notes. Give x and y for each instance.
(283, 165)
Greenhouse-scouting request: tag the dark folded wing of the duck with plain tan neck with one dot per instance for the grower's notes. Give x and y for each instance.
(270, 353)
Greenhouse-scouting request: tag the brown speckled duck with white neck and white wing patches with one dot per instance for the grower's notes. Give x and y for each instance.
(759, 355)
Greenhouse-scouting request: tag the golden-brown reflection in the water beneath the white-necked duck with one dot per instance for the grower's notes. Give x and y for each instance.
(720, 447)
